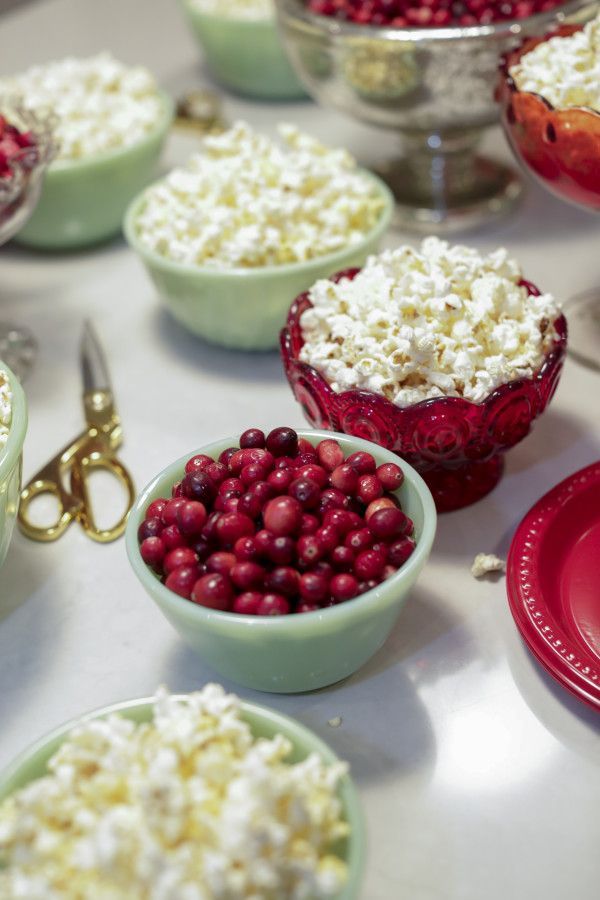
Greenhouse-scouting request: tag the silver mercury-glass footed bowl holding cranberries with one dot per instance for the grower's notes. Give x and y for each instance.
(435, 88)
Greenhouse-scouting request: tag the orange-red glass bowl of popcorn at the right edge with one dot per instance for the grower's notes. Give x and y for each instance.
(561, 147)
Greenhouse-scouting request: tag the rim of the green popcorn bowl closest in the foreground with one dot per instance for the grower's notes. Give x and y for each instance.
(292, 728)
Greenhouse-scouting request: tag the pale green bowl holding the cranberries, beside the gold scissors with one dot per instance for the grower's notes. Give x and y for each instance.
(299, 652)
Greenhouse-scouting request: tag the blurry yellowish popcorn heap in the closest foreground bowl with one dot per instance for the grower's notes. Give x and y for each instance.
(190, 806)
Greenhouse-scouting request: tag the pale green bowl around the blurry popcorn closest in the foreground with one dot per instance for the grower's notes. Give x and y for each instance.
(264, 722)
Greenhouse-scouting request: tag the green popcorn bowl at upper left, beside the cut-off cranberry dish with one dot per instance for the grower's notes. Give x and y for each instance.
(83, 201)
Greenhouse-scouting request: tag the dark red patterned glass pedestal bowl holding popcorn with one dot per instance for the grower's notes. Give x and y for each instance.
(455, 444)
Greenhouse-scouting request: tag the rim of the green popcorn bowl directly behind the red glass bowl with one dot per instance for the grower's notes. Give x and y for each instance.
(334, 260)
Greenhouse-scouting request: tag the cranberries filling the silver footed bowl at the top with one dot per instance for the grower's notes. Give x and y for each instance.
(430, 13)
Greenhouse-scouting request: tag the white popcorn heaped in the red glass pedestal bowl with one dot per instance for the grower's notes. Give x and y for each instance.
(436, 322)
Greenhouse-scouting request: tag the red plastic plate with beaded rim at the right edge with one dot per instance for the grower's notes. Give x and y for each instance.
(553, 582)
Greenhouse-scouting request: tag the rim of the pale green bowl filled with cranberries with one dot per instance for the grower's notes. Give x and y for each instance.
(339, 614)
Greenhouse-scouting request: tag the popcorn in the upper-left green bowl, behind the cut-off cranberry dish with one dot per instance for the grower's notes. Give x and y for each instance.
(100, 104)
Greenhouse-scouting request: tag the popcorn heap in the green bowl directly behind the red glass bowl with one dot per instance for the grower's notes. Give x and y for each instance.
(245, 200)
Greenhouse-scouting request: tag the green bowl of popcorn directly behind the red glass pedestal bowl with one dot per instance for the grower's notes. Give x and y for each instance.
(244, 309)
